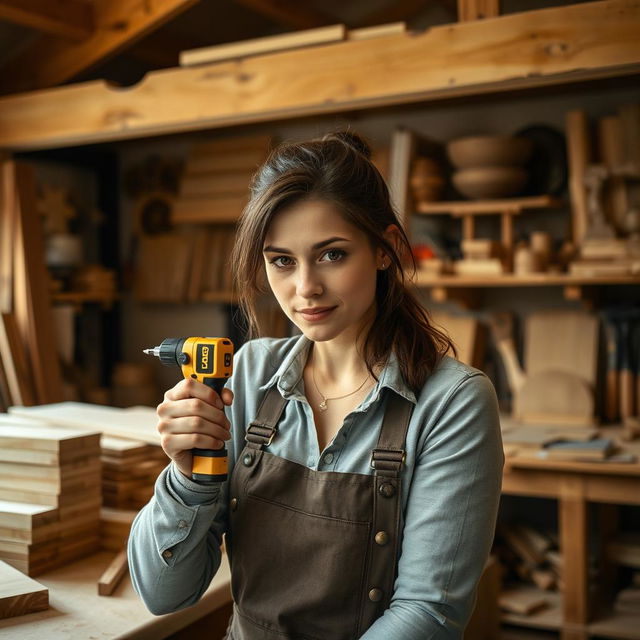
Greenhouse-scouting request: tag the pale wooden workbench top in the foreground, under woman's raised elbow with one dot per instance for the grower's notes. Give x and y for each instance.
(77, 611)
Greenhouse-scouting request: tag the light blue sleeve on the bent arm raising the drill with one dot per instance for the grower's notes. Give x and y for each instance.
(174, 544)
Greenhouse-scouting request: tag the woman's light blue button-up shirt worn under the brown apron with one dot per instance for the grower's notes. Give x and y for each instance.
(451, 488)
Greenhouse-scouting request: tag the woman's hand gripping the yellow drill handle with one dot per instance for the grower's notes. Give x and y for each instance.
(192, 416)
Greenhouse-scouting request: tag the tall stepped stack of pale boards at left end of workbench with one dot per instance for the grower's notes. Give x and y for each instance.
(49, 494)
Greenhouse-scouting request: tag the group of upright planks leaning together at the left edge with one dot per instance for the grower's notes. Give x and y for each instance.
(29, 368)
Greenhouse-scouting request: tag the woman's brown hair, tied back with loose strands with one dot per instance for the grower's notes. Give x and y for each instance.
(337, 168)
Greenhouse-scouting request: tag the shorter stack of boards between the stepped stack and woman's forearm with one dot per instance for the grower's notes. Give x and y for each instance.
(129, 472)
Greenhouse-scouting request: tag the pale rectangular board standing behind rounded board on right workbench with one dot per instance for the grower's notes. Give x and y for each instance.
(564, 341)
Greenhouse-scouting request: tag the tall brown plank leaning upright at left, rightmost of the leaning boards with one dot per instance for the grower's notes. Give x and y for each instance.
(32, 292)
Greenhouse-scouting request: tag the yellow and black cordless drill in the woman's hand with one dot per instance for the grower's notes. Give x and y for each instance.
(210, 361)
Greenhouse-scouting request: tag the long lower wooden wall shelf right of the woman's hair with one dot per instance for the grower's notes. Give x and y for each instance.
(512, 280)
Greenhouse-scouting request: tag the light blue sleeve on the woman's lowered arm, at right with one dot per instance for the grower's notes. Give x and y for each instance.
(449, 518)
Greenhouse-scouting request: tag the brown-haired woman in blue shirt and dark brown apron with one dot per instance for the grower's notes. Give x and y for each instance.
(366, 462)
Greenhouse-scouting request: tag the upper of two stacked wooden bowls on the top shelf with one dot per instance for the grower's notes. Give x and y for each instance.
(489, 151)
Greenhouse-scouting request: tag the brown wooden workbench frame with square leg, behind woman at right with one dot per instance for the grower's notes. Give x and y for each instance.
(575, 485)
